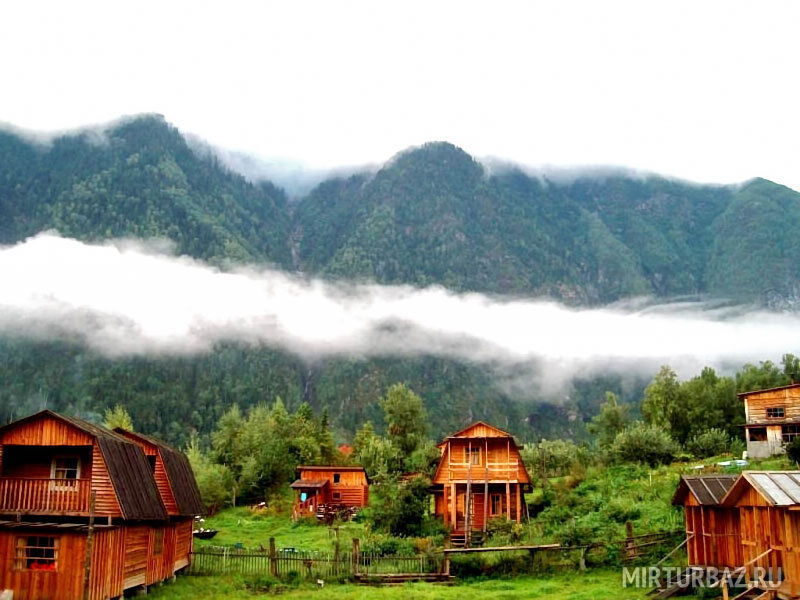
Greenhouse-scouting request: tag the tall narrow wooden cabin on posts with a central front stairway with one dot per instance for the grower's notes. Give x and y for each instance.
(480, 476)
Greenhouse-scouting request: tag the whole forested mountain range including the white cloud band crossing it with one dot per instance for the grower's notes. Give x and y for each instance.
(141, 271)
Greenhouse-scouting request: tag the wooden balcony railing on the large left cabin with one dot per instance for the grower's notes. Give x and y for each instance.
(45, 496)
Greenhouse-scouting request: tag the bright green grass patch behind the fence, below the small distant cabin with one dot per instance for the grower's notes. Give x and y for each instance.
(253, 529)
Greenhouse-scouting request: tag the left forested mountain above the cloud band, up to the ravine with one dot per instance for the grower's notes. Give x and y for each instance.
(140, 179)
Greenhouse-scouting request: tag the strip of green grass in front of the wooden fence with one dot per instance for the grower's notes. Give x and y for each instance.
(592, 585)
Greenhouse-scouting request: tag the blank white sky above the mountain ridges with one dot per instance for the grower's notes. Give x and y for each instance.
(702, 90)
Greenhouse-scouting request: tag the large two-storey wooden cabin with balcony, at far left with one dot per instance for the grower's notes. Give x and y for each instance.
(66, 483)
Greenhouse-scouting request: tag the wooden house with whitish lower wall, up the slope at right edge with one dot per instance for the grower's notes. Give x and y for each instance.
(772, 419)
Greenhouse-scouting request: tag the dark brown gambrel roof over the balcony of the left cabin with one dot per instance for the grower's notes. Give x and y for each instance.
(127, 467)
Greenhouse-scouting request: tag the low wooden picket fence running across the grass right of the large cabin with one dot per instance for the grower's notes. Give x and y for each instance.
(225, 560)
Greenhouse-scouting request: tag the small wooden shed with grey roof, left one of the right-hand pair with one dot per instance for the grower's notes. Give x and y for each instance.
(712, 530)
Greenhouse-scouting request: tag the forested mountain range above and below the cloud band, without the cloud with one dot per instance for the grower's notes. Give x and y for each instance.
(431, 215)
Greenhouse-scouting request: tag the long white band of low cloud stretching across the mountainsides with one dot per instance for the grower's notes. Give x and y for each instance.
(126, 298)
